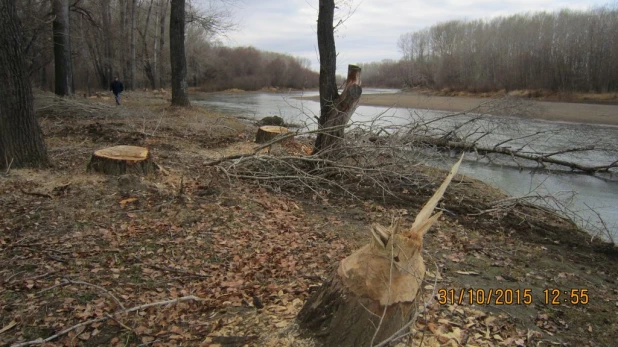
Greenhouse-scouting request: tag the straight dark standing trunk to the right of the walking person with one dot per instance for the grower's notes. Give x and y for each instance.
(177, 54)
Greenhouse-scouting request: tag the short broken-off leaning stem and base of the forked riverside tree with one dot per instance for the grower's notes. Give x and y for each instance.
(339, 113)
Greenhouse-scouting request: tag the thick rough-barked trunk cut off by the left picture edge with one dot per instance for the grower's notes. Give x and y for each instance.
(21, 139)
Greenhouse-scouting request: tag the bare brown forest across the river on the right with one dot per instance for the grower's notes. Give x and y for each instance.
(562, 51)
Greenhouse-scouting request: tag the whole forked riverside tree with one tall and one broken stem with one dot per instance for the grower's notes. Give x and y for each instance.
(335, 110)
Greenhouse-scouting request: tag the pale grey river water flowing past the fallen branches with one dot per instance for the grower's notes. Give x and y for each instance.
(587, 196)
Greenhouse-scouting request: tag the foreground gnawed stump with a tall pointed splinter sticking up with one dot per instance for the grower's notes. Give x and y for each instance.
(371, 298)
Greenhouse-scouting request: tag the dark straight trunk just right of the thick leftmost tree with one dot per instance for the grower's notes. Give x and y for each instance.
(62, 48)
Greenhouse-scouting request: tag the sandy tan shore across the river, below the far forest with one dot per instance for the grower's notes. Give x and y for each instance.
(554, 111)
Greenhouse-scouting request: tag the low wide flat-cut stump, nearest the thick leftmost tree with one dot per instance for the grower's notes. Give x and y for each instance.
(120, 160)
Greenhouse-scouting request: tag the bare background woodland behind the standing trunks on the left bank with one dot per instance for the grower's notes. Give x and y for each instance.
(130, 39)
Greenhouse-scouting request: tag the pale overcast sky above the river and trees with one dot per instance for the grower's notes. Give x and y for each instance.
(371, 33)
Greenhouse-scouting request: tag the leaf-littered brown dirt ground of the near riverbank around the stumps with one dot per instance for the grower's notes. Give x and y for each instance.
(191, 257)
